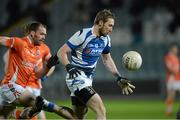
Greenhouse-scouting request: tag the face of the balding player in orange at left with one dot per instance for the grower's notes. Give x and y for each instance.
(39, 36)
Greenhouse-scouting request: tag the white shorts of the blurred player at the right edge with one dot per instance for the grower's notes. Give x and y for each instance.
(173, 85)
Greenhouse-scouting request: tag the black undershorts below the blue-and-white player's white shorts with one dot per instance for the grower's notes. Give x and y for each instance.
(81, 97)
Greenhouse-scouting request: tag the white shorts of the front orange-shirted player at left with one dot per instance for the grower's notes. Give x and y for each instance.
(10, 92)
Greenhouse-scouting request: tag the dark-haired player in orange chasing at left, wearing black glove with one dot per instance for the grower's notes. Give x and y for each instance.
(26, 59)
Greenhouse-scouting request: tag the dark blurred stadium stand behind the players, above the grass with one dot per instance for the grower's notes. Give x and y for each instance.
(147, 26)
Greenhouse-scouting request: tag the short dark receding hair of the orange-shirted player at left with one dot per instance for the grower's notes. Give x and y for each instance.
(32, 27)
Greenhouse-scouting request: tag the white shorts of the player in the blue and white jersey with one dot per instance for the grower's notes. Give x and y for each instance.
(78, 83)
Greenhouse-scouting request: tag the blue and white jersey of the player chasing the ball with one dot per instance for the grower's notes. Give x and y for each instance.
(87, 48)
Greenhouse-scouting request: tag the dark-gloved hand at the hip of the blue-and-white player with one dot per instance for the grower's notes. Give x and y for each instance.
(72, 70)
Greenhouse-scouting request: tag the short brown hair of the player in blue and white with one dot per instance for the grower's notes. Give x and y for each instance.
(103, 15)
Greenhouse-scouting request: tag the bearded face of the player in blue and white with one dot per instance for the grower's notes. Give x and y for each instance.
(107, 27)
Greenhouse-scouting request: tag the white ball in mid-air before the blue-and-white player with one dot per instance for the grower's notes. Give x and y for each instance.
(132, 60)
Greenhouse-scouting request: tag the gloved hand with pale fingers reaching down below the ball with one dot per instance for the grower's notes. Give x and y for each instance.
(125, 85)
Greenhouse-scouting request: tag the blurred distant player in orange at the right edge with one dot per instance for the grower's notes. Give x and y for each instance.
(172, 76)
